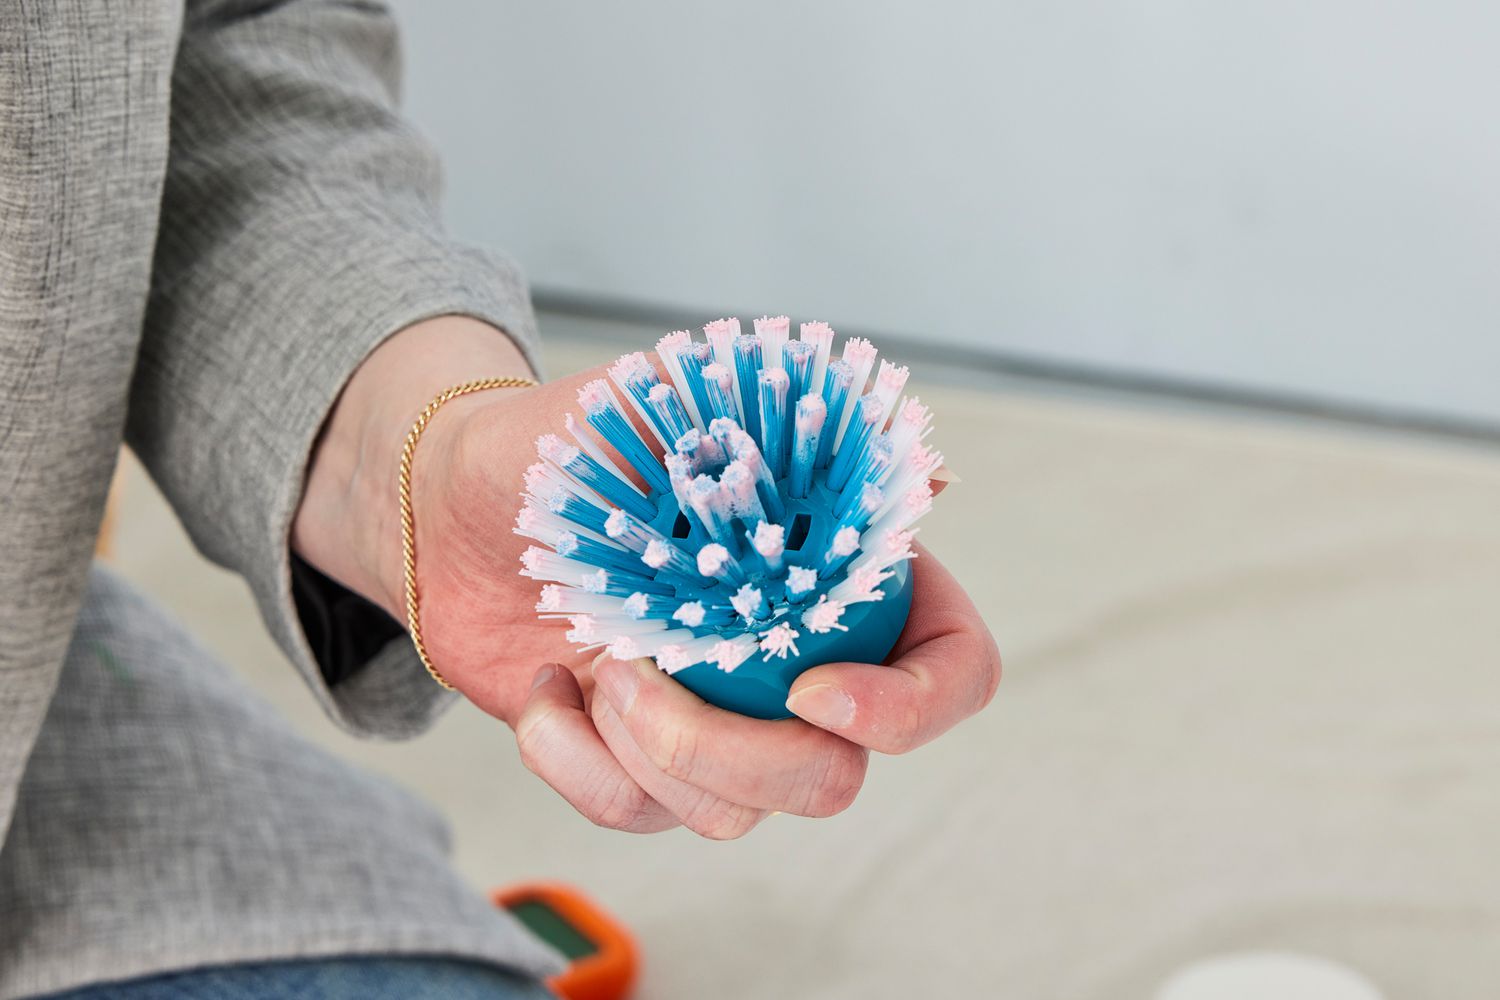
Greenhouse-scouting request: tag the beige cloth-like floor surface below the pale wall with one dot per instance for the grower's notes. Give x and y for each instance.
(1250, 702)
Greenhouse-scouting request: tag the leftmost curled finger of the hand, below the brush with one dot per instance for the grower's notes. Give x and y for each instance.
(559, 743)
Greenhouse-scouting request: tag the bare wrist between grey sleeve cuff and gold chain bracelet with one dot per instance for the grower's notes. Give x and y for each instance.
(349, 522)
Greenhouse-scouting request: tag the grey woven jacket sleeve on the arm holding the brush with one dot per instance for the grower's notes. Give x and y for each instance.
(299, 230)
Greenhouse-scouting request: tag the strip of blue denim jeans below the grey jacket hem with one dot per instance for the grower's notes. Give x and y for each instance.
(349, 978)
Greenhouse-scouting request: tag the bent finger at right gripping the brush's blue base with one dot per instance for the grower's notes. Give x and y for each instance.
(946, 669)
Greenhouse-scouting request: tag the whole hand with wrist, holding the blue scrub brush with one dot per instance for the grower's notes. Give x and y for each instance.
(647, 755)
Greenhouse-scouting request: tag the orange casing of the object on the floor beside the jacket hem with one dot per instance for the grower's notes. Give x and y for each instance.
(604, 956)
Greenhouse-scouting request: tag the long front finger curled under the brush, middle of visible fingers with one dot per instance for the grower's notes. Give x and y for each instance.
(785, 765)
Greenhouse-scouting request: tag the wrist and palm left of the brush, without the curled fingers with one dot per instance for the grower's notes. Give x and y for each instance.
(478, 614)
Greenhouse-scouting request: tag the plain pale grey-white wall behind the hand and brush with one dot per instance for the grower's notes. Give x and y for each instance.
(1298, 197)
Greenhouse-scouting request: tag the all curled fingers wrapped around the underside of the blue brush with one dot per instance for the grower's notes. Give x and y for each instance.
(644, 753)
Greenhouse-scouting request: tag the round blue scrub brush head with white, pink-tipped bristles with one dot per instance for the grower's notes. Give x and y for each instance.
(775, 536)
